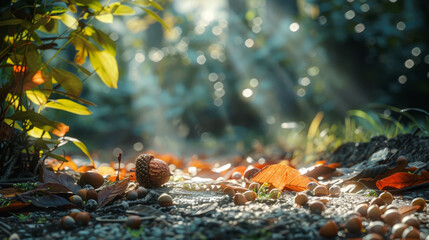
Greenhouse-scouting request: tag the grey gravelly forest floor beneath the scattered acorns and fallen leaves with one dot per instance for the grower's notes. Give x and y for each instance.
(205, 212)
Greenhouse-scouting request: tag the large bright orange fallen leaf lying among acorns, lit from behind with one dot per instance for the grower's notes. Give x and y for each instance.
(282, 177)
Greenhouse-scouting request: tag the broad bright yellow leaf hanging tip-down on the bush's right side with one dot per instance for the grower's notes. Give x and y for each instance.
(105, 66)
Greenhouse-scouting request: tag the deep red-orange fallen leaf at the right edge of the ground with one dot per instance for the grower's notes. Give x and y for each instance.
(402, 179)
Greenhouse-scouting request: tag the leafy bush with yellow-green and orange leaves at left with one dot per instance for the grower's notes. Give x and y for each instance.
(34, 33)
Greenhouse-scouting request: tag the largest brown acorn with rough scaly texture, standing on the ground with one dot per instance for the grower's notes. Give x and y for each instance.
(151, 172)
